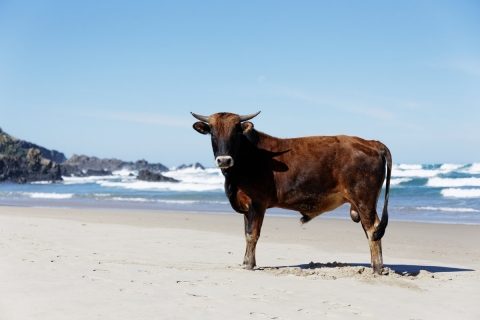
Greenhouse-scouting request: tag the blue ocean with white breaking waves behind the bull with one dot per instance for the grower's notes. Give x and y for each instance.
(438, 193)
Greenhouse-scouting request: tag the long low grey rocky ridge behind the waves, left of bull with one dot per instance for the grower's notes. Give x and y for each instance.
(93, 163)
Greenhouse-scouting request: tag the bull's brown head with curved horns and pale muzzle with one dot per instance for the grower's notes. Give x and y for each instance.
(226, 130)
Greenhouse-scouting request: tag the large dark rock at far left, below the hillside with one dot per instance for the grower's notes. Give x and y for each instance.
(33, 167)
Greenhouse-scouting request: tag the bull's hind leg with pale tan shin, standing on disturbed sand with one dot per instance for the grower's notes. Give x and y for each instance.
(370, 221)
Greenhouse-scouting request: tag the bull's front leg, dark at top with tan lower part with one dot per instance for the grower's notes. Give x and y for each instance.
(253, 224)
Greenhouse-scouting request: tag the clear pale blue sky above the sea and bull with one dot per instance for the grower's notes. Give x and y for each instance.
(118, 78)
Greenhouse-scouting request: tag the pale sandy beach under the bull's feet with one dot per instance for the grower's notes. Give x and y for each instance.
(118, 264)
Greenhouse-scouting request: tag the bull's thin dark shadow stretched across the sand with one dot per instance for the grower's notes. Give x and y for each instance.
(398, 268)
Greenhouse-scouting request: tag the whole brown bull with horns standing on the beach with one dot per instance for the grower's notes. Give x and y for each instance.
(311, 175)
